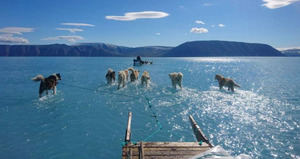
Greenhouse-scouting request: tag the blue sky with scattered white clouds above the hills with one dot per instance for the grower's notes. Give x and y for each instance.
(136, 23)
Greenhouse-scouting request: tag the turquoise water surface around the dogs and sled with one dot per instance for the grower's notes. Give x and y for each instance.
(87, 118)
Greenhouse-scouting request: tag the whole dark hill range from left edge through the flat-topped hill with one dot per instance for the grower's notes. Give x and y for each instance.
(188, 49)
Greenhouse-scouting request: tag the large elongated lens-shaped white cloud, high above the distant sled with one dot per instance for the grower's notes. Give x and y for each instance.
(138, 15)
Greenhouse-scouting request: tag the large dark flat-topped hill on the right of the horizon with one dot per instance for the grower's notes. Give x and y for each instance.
(222, 48)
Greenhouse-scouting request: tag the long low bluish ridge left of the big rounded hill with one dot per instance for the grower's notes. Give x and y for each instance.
(84, 49)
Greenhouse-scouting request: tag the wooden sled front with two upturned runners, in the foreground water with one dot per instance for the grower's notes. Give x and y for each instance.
(165, 150)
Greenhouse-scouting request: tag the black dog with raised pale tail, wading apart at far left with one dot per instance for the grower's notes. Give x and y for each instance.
(48, 83)
